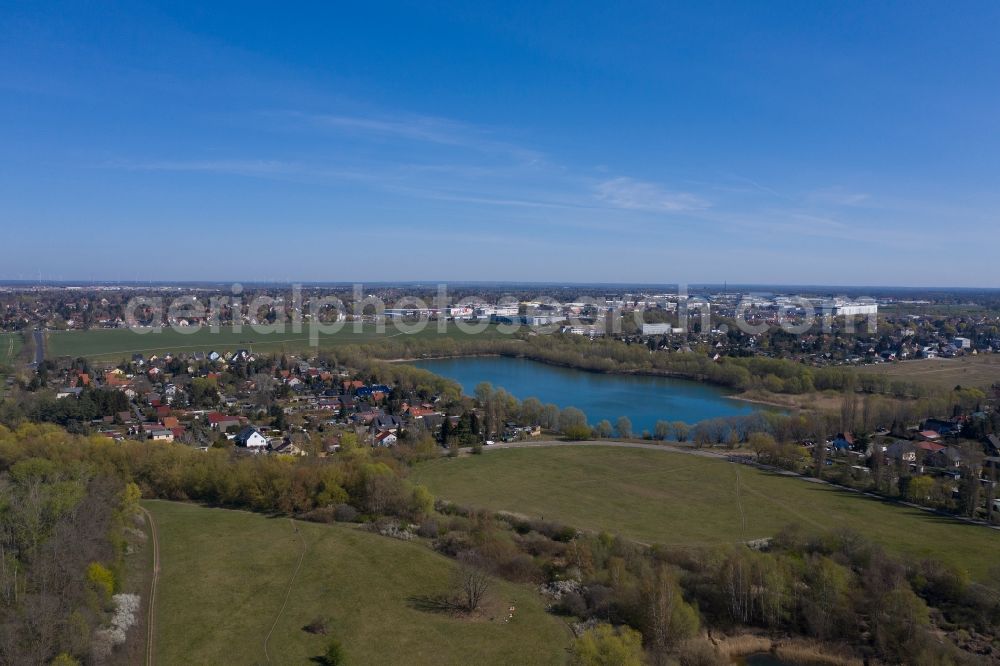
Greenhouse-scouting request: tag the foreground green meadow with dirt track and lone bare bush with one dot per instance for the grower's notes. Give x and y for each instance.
(224, 576)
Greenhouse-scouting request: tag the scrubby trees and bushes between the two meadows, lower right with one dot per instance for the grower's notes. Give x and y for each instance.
(836, 588)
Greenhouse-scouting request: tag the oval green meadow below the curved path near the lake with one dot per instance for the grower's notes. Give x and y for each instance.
(678, 499)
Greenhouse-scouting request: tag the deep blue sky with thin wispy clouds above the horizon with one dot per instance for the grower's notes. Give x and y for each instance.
(808, 143)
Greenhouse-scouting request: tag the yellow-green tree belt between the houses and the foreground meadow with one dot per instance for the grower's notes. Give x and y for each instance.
(270, 484)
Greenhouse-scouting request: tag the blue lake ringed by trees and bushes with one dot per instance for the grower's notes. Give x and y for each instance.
(645, 400)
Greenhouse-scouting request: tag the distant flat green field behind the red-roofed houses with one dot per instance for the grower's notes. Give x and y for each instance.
(116, 344)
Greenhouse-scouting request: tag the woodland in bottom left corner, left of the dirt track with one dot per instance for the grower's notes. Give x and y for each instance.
(61, 552)
